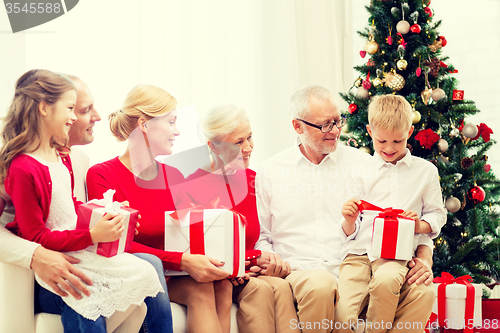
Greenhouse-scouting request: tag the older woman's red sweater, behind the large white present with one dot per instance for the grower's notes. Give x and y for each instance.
(203, 187)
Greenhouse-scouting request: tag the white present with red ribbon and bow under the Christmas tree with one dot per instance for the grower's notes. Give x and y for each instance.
(458, 304)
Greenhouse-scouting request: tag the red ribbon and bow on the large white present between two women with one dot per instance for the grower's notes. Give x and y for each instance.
(196, 228)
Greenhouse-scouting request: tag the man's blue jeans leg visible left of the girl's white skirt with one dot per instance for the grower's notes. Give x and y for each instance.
(47, 301)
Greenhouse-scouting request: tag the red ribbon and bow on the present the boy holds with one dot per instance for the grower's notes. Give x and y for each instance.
(391, 226)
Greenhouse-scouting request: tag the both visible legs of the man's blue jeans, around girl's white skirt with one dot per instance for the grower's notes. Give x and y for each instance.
(158, 318)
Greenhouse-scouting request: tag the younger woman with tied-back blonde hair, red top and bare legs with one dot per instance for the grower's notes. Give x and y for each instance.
(147, 120)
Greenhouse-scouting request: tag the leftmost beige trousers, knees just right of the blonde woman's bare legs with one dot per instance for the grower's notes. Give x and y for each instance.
(265, 305)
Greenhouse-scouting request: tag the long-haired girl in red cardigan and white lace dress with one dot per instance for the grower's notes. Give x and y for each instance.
(40, 186)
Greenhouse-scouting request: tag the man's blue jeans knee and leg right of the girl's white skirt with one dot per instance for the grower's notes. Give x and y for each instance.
(159, 315)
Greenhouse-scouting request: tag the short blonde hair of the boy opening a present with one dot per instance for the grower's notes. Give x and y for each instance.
(390, 113)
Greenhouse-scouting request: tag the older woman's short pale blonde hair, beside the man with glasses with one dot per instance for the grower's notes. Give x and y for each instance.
(221, 121)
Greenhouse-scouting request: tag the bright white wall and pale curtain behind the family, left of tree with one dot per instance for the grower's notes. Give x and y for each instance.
(253, 54)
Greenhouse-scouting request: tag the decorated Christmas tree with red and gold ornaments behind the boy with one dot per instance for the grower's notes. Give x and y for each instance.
(403, 53)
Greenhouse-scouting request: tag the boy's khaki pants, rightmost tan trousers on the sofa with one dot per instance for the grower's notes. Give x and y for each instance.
(394, 306)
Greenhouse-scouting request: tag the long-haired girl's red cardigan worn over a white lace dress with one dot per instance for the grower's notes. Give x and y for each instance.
(29, 185)
